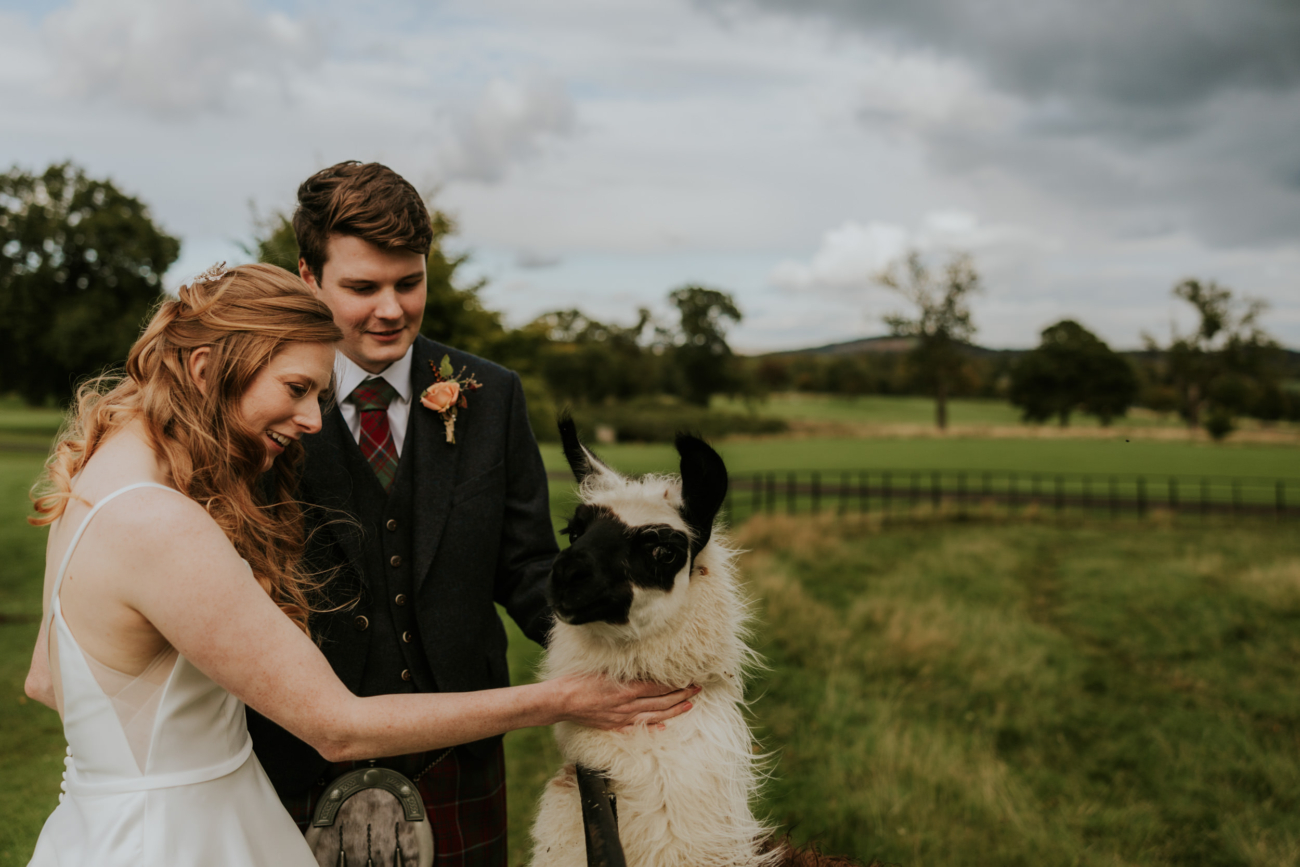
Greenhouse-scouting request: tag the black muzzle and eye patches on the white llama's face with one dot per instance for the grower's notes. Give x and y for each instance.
(608, 562)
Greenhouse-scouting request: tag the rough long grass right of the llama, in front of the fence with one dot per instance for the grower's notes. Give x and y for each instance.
(1028, 695)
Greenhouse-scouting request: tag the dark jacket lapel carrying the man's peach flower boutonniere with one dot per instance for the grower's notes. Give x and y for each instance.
(435, 465)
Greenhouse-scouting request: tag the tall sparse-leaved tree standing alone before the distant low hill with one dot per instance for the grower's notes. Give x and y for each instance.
(942, 322)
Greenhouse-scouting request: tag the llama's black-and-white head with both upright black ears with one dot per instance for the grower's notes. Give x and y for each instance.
(634, 541)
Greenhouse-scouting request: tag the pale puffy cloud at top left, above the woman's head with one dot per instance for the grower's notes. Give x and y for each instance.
(176, 58)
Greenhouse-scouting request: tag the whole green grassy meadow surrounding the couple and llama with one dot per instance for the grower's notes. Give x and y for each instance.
(941, 692)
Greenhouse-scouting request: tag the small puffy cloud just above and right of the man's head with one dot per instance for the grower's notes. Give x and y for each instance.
(510, 122)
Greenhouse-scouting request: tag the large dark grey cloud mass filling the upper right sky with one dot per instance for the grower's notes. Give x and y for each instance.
(1165, 115)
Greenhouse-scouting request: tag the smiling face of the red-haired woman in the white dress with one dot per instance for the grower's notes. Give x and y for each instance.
(283, 398)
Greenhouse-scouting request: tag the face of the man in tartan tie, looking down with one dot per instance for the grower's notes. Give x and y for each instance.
(378, 298)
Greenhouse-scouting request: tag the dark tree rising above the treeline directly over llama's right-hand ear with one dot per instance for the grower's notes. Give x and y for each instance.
(701, 361)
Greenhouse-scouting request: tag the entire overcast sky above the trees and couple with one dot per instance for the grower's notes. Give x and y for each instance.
(597, 154)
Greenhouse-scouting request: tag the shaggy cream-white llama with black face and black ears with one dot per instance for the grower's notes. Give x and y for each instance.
(648, 592)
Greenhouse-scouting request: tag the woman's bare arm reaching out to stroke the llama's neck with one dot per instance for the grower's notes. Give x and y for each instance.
(183, 575)
